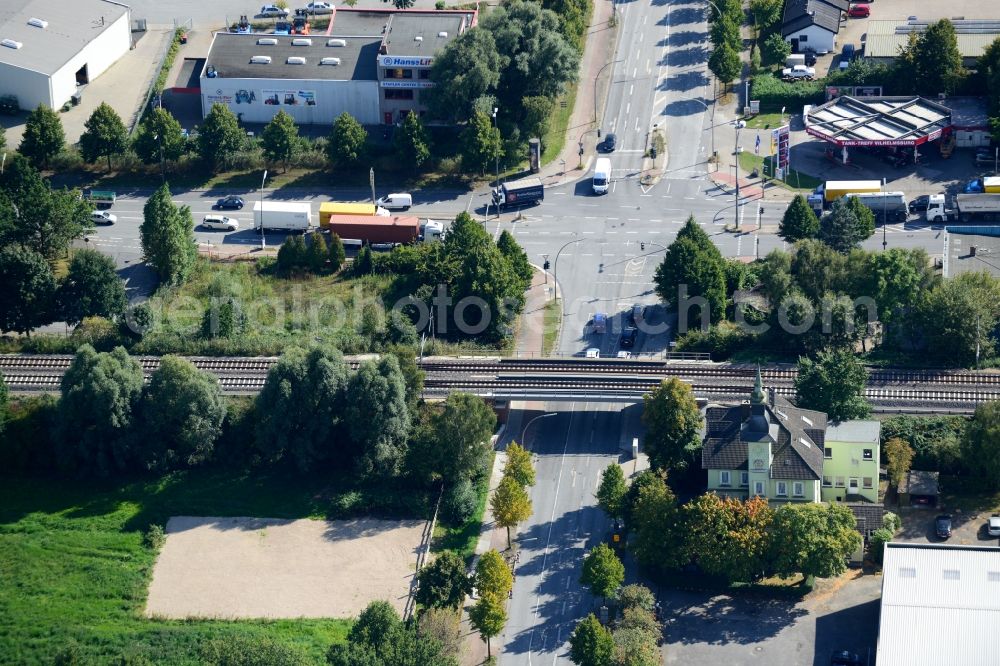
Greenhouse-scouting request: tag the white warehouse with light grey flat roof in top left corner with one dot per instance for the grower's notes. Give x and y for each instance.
(49, 49)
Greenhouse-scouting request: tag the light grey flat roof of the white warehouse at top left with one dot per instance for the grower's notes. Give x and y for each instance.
(72, 24)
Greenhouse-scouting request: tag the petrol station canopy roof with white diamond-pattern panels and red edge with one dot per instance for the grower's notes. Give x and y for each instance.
(878, 121)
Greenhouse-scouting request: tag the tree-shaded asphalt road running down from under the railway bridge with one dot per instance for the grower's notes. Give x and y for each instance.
(572, 449)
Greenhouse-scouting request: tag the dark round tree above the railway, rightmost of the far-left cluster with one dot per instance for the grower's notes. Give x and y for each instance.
(91, 288)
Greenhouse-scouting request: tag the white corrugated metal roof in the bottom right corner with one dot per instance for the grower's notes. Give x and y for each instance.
(940, 605)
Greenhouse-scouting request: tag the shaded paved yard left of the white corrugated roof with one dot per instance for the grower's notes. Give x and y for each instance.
(841, 614)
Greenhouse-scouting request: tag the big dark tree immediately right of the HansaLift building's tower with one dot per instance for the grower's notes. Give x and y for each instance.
(465, 70)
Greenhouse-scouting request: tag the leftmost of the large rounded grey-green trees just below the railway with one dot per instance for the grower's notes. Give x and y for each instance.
(100, 395)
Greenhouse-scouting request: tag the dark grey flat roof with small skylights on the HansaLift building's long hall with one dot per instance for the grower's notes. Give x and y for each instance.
(230, 55)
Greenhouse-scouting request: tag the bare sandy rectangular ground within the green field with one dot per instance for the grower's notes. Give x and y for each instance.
(272, 568)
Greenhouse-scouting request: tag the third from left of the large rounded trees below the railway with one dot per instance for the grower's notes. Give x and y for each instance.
(300, 409)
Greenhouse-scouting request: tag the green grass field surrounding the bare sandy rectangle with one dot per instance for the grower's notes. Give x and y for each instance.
(74, 567)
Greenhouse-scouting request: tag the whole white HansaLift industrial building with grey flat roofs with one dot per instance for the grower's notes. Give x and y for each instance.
(373, 64)
